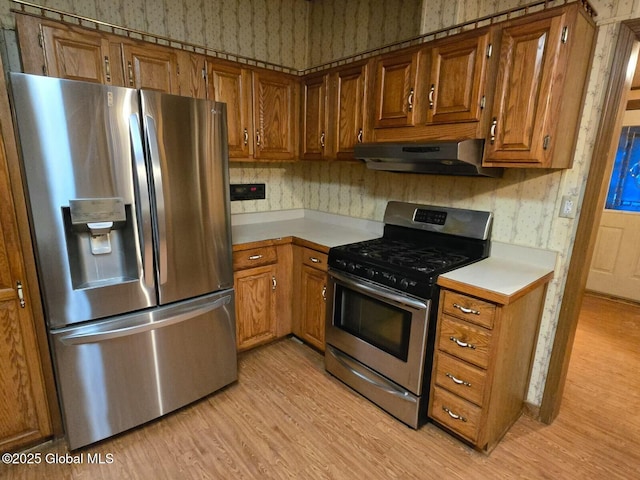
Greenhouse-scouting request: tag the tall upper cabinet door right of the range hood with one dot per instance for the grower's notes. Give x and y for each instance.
(520, 130)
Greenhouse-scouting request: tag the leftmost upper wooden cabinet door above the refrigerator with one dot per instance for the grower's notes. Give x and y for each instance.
(77, 56)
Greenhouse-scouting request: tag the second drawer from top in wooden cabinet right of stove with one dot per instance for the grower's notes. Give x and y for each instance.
(465, 341)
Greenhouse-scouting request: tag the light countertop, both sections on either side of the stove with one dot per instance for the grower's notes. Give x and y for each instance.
(509, 272)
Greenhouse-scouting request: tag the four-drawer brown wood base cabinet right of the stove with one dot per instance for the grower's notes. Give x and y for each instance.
(482, 363)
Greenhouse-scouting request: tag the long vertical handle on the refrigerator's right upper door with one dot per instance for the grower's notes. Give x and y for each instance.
(156, 169)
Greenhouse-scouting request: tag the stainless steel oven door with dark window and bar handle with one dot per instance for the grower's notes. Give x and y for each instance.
(382, 329)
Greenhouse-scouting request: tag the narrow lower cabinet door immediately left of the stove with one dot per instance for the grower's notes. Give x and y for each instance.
(314, 304)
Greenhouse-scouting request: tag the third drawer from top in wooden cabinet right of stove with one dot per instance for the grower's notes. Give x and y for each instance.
(460, 377)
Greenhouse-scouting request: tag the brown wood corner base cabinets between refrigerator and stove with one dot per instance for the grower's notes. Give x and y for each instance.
(280, 288)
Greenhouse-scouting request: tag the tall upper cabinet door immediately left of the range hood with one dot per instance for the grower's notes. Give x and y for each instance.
(349, 93)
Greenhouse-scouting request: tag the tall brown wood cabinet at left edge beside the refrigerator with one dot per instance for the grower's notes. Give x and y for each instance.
(24, 409)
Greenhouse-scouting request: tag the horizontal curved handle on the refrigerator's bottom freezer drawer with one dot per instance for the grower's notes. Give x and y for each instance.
(136, 328)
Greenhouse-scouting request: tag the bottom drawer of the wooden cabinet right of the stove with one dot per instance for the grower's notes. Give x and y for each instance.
(455, 413)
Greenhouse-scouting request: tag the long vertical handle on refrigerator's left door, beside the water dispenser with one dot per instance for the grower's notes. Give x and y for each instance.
(144, 224)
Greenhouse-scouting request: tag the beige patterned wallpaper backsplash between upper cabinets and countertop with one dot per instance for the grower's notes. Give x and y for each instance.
(523, 200)
